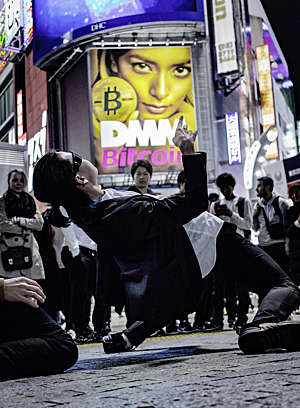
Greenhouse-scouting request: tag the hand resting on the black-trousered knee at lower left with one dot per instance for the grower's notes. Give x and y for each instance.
(23, 290)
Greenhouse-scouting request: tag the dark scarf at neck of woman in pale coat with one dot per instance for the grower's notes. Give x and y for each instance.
(19, 206)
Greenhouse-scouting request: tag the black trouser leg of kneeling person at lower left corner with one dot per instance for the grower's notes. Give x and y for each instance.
(31, 343)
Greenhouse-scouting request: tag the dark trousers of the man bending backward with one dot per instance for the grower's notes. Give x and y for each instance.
(254, 269)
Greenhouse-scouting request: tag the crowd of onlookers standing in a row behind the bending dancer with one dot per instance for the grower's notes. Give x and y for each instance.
(66, 263)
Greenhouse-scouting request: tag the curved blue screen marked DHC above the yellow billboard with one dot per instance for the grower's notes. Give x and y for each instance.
(58, 21)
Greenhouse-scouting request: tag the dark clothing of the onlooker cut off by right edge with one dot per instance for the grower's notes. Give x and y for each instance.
(293, 233)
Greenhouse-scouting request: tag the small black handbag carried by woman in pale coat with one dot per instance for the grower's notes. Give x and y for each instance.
(16, 258)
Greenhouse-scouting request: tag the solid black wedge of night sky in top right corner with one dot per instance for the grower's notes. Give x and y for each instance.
(284, 16)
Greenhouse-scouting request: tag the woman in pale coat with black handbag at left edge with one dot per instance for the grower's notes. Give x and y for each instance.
(19, 218)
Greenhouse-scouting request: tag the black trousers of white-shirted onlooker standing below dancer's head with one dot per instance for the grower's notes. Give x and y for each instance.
(81, 273)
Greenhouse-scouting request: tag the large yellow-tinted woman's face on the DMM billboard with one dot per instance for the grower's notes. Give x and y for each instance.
(161, 78)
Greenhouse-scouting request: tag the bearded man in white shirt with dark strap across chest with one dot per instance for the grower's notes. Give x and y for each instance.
(268, 219)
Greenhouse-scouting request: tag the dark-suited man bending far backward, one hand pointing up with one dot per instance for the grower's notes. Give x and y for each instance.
(159, 271)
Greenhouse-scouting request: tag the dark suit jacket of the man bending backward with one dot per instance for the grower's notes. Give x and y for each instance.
(159, 271)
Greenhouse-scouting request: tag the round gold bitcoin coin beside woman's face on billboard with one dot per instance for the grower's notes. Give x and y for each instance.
(113, 99)
